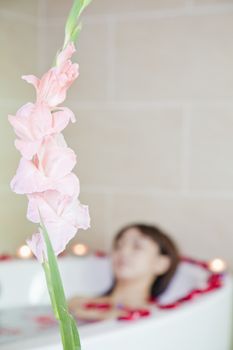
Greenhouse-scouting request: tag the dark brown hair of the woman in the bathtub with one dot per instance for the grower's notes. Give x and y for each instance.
(167, 247)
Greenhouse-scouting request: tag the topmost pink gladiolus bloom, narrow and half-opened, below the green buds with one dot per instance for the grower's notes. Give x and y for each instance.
(52, 87)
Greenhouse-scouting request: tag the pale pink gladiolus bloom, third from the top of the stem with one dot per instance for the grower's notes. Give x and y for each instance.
(50, 169)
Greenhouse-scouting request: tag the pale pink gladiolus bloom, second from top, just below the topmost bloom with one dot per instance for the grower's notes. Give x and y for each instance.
(33, 122)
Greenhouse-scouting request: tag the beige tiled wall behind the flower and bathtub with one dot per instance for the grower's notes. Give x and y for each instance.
(154, 114)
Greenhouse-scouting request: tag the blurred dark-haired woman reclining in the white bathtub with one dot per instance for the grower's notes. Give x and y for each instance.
(144, 260)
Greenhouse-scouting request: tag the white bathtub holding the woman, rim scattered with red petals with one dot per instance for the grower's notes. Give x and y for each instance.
(201, 324)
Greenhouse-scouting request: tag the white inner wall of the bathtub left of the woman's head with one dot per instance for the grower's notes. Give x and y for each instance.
(23, 283)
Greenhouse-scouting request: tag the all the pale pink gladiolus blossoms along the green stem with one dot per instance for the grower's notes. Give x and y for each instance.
(45, 170)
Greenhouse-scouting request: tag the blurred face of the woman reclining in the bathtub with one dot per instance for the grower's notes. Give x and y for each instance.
(135, 255)
